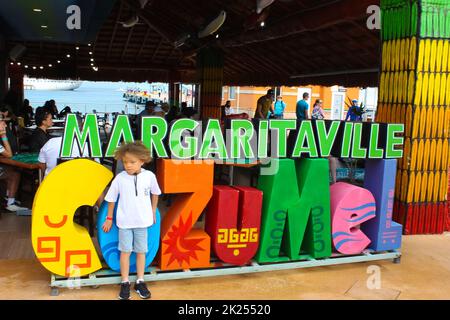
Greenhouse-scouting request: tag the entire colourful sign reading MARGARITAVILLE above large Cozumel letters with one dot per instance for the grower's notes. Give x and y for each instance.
(292, 215)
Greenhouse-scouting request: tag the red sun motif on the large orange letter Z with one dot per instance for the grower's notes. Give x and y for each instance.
(179, 247)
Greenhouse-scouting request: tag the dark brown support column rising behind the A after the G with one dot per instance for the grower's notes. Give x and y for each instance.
(210, 76)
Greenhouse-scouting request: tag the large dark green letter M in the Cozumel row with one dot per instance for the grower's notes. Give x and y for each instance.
(296, 211)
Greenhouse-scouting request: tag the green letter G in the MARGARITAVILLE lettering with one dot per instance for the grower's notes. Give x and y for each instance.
(176, 147)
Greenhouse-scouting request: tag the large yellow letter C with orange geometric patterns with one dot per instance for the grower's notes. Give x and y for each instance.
(62, 246)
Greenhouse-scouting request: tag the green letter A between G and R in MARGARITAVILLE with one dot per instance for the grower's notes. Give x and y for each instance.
(213, 133)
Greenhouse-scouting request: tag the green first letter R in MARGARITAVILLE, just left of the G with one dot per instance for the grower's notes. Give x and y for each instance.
(154, 139)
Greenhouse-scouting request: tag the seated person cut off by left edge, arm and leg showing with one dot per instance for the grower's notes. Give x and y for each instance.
(12, 176)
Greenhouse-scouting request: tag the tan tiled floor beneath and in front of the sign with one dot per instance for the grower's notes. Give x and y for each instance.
(424, 273)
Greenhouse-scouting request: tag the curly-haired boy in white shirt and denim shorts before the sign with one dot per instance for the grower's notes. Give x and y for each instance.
(138, 190)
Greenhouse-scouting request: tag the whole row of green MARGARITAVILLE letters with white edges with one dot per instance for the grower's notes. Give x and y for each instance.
(290, 138)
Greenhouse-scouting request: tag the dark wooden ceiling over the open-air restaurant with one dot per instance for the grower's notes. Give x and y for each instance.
(303, 42)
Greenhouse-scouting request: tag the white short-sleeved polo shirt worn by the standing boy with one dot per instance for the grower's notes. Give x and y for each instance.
(134, 211)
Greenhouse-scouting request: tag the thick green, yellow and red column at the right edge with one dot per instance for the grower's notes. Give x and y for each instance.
(415, 90)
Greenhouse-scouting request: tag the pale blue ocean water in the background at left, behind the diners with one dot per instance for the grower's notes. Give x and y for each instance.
(99, 96)
